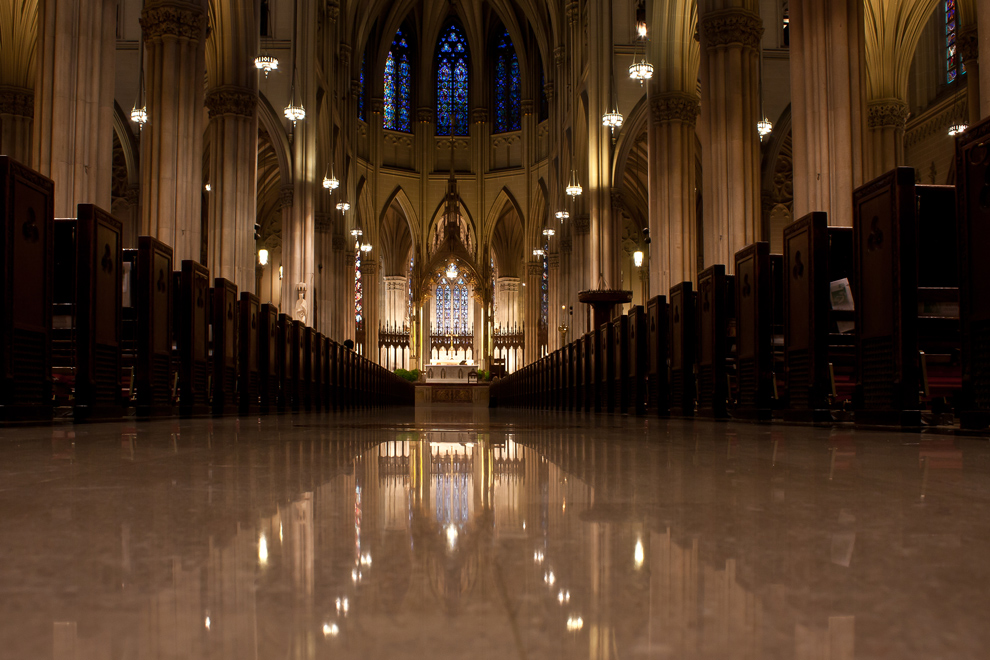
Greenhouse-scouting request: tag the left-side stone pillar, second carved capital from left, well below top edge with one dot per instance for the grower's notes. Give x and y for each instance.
(233, 181)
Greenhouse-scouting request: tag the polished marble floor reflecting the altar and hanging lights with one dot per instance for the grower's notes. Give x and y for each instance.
(459, 534)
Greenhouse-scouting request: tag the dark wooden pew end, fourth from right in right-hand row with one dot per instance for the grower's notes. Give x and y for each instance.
(754, 332)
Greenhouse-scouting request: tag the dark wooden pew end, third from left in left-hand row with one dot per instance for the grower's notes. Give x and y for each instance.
(156, 379)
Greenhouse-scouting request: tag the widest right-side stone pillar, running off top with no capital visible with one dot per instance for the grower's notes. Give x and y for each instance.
(827, 105)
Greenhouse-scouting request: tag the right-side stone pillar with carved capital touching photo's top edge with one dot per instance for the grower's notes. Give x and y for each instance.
(730, 41)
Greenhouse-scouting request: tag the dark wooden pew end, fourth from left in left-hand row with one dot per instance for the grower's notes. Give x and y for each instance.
(192, 324)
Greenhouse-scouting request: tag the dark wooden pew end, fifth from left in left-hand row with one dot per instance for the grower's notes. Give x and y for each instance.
(224, 333)
